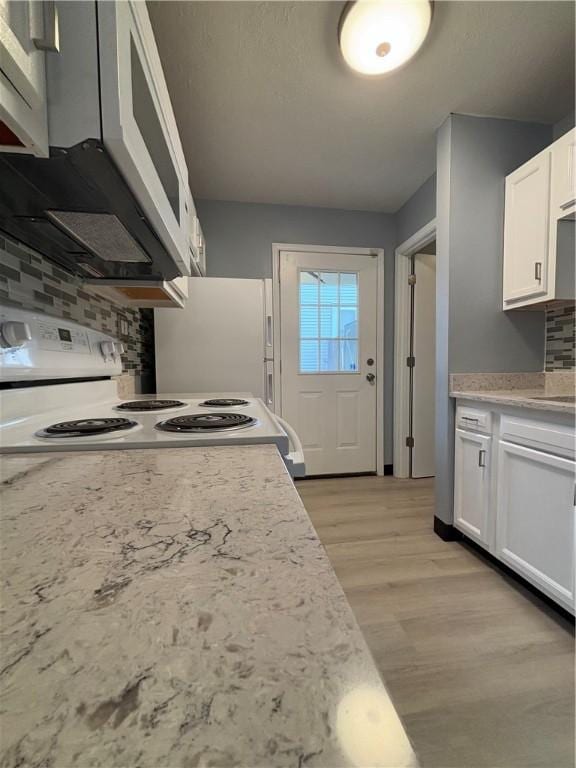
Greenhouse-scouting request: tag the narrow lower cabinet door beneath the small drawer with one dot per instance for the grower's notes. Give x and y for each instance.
(472, 456)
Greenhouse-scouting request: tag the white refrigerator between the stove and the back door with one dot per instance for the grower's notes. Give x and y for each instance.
(221, 340)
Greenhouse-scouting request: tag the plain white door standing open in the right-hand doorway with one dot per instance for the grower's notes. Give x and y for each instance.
(424, 371)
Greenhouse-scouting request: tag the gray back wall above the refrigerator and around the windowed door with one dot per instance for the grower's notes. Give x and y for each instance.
(239, 239)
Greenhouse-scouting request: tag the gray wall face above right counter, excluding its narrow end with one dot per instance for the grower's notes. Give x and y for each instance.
(482, 336)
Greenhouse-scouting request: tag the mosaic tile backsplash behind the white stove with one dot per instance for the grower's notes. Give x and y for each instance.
(29, 281)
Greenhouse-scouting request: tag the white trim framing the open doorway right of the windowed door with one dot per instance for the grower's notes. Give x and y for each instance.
(402, 255)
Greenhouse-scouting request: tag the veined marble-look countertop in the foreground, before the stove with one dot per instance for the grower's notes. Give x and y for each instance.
(175, 608)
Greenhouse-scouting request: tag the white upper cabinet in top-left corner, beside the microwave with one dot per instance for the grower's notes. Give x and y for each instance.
(24, 36)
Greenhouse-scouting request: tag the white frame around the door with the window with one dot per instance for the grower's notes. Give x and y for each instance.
(378, 253)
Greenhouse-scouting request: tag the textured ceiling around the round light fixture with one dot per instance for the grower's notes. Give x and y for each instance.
(268, 112)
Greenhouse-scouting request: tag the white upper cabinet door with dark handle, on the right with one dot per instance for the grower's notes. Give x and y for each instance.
(526, 231)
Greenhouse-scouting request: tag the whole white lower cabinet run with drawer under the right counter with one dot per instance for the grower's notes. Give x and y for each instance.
(514, 492)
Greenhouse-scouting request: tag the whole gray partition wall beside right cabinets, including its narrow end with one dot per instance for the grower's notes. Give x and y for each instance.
(473, 333)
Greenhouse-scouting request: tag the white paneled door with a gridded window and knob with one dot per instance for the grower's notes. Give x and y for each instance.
(328, 333)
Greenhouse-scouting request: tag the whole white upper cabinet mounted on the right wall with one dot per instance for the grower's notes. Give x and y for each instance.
(539, 227)
